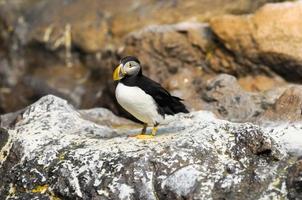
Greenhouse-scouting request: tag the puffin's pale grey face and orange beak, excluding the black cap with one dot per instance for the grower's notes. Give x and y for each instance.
(130, 68)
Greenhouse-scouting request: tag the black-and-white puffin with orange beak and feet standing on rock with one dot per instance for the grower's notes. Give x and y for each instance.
(143, 98)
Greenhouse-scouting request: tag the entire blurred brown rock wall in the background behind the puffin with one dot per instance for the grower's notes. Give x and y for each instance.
(233, 57)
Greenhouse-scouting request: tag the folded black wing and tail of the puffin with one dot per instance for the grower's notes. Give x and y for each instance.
(167, 103)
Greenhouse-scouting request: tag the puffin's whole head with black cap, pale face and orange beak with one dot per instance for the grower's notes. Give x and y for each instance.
(129, 66)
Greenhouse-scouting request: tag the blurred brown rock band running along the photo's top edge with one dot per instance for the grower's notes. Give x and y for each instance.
(93, 26)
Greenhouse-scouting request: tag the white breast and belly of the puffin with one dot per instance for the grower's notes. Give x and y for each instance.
(138, 103)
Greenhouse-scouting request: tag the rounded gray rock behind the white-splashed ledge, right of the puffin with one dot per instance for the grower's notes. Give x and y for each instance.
(226, 98)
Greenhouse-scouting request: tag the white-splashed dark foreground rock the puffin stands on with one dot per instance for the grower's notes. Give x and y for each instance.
(53, 152)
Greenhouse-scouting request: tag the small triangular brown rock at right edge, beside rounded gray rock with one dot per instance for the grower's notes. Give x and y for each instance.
(287, 108)
